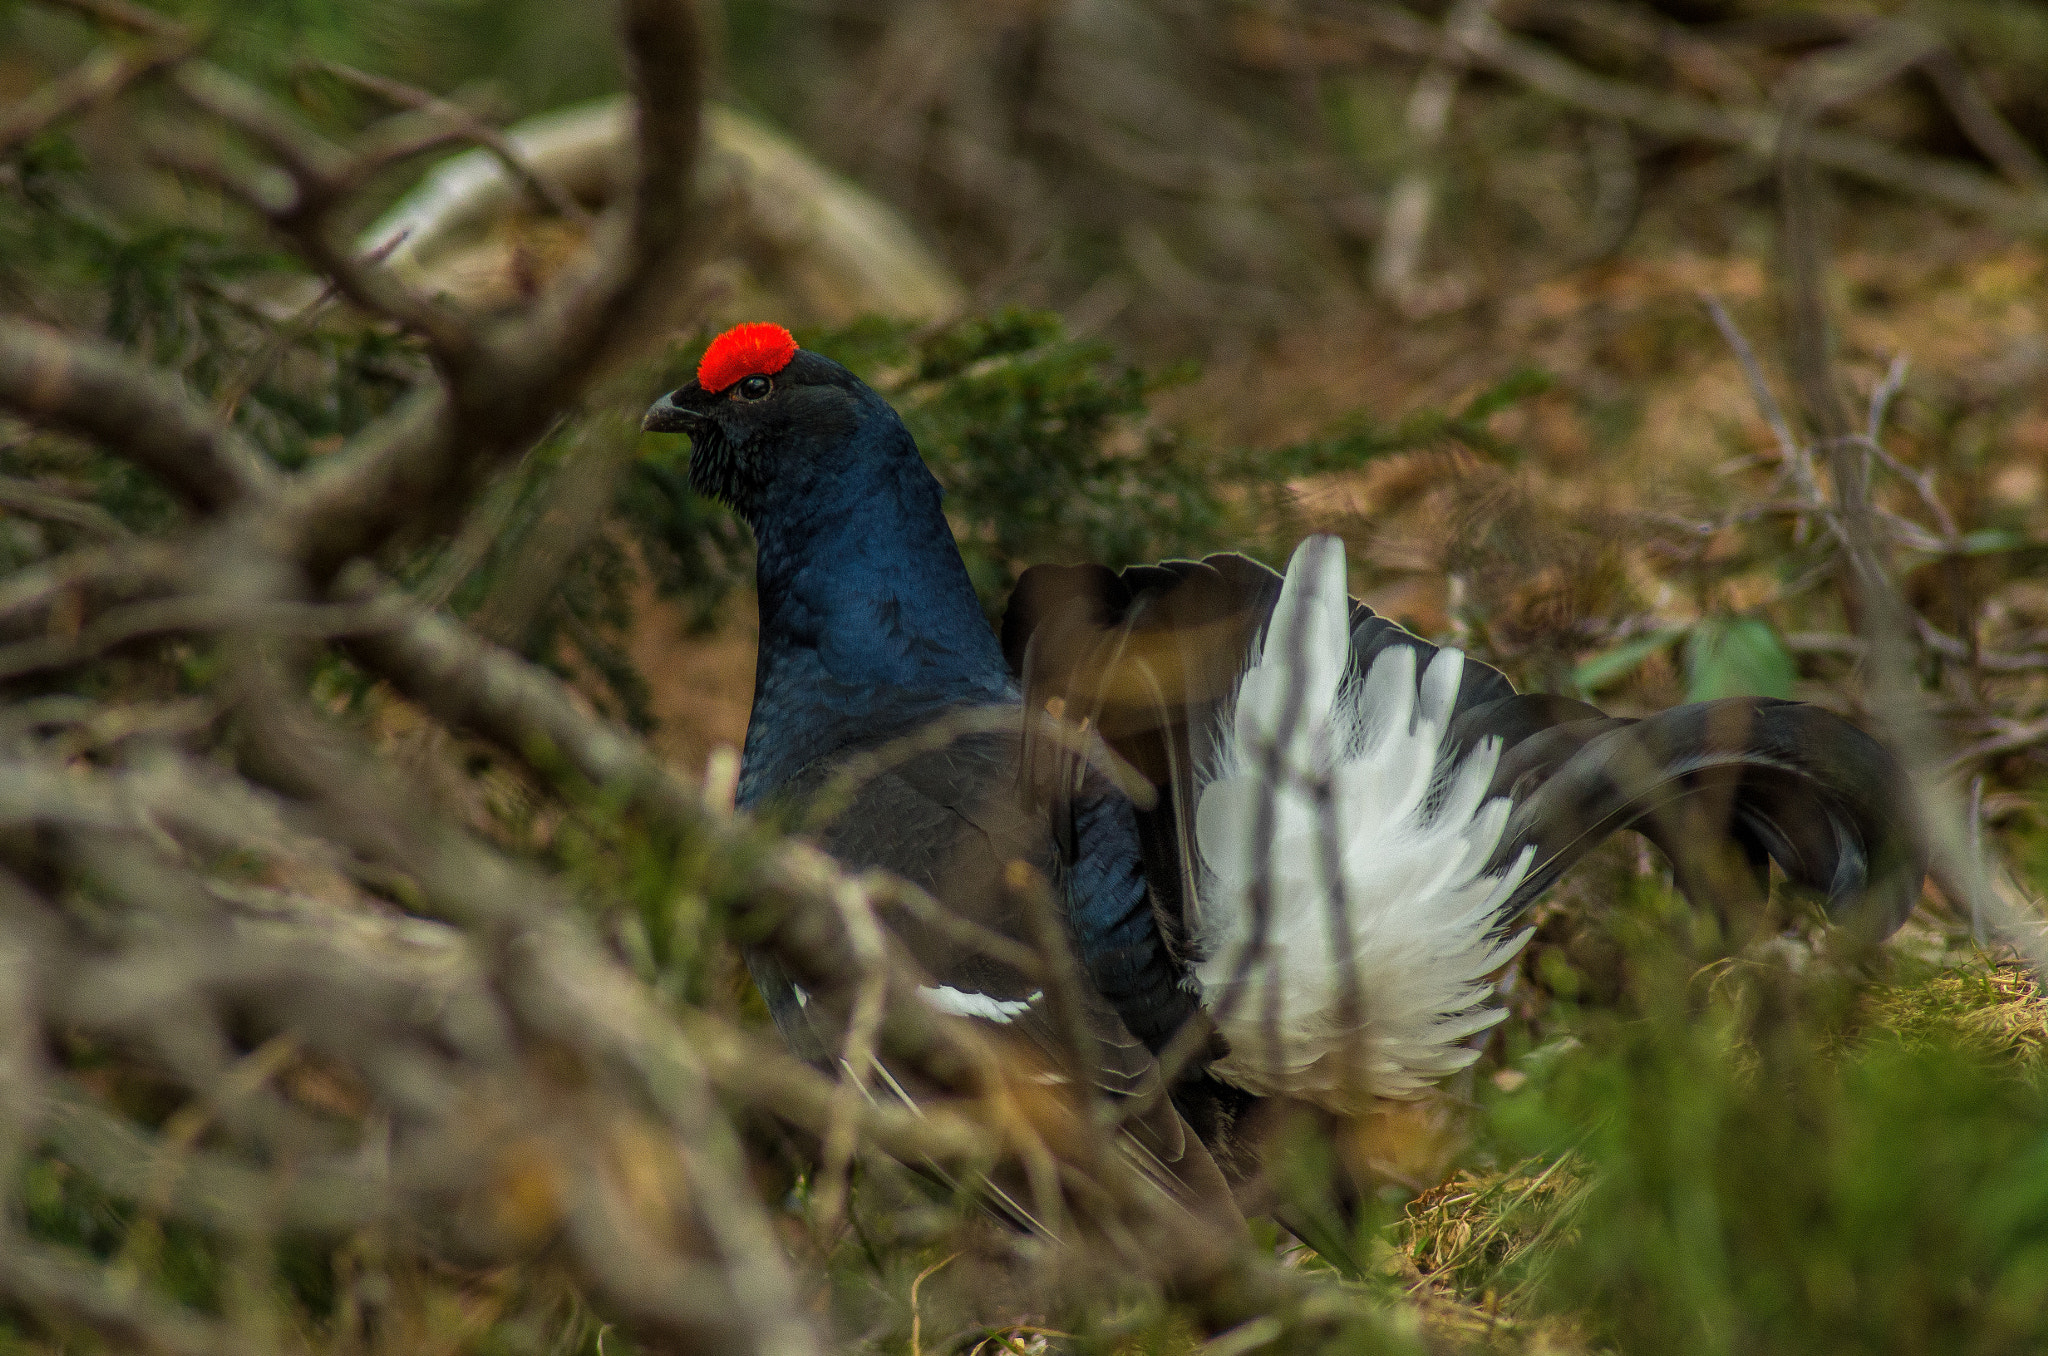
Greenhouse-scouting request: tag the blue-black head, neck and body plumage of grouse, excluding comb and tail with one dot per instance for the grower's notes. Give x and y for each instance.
(869, 636)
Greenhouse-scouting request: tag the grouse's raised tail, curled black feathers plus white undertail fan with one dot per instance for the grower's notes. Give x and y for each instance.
(1353, 820)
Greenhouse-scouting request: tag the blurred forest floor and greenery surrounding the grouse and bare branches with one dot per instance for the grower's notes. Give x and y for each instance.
(1152, 280)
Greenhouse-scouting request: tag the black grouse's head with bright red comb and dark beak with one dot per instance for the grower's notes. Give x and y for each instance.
(777, 425)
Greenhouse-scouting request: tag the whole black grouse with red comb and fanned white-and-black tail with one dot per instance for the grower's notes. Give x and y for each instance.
(1340, 822)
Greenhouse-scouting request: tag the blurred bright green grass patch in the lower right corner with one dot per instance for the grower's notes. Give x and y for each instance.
(1779, 1162)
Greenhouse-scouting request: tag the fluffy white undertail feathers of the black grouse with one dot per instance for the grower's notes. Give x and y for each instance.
(1410, 837)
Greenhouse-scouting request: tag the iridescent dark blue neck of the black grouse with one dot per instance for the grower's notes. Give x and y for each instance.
(869, 622)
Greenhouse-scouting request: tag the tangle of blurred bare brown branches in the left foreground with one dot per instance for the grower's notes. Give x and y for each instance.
(355, 1011)
